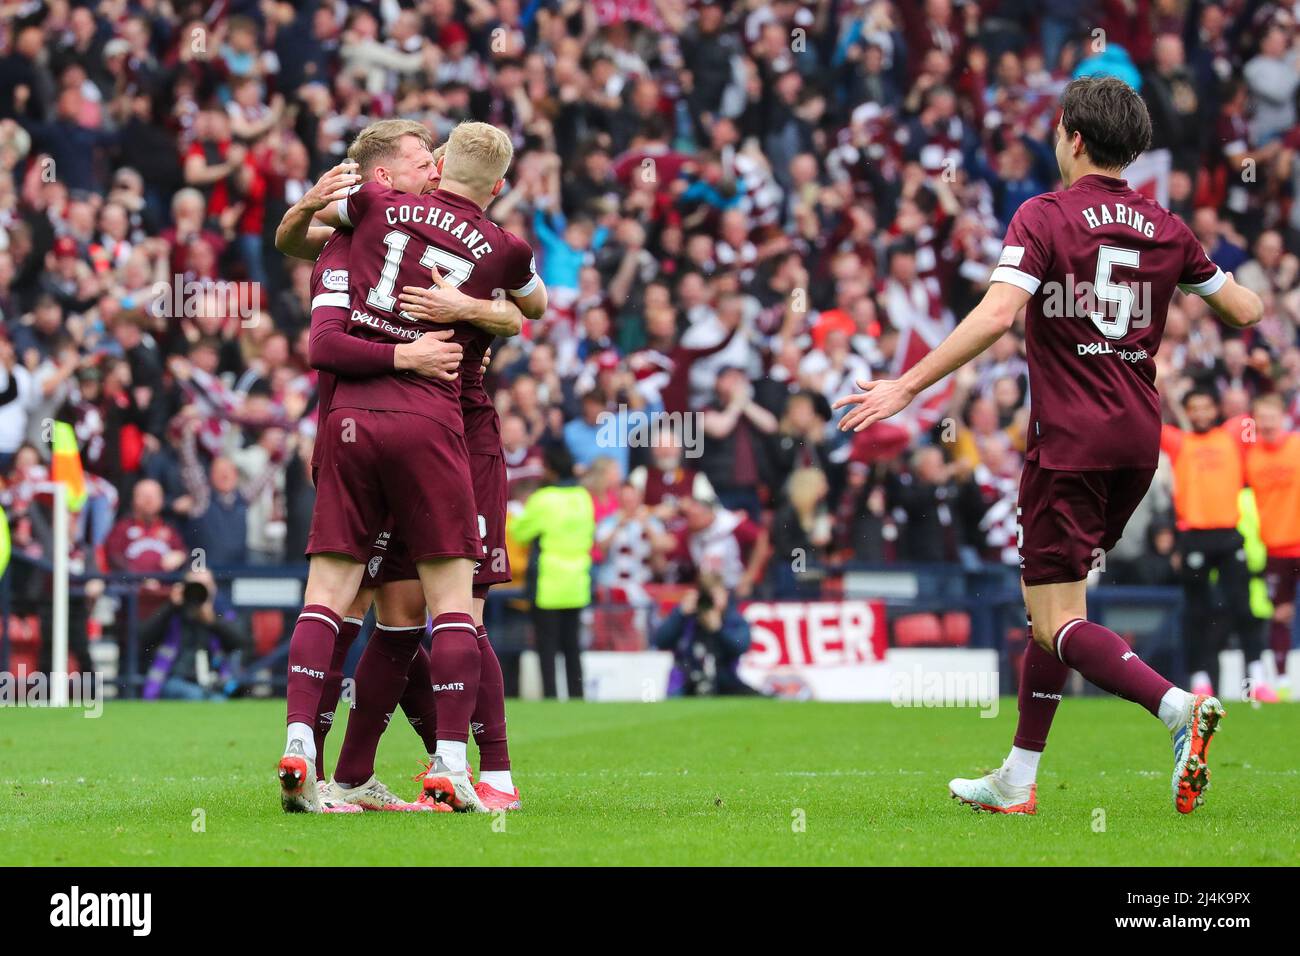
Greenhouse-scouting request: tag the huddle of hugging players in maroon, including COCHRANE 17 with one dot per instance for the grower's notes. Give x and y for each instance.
(411, 483)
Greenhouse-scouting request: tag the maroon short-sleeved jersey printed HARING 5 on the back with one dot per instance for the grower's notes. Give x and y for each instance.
(1102, 263)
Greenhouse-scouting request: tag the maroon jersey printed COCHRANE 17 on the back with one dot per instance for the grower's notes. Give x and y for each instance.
(397, 237)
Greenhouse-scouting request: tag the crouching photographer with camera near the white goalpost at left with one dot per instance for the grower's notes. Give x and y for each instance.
(194, 646)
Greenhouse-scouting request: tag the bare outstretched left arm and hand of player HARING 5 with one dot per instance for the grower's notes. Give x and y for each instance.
(987, 323)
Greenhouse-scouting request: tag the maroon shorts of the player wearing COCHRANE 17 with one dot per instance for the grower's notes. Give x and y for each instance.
(393, 470)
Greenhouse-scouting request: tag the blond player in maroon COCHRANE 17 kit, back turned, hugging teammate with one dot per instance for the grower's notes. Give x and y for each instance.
(404, 452)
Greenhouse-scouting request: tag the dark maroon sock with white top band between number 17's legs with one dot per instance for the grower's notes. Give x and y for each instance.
(380, 681)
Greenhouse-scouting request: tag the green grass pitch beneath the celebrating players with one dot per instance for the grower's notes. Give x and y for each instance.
(674, 784)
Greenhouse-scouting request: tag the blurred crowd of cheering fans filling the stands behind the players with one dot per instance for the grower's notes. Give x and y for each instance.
(740, 209)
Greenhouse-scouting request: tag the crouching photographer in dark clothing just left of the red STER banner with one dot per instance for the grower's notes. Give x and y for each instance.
(708, 635)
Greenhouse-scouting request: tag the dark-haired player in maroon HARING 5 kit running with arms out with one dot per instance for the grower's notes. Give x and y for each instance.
(1097, 265)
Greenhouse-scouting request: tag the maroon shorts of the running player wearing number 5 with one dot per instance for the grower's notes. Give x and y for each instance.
(1069, 520)
